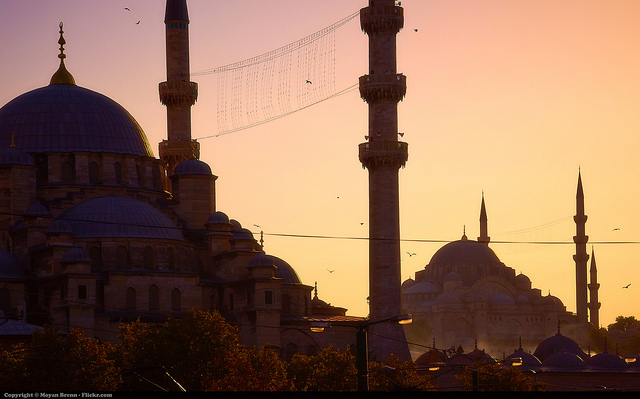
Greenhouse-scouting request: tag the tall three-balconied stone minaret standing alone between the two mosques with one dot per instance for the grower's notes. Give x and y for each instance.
(383, 155)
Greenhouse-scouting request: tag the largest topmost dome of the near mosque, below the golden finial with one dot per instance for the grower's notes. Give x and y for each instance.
(70, 118)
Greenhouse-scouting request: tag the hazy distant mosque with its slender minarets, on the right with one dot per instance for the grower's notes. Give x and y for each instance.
(467, 297)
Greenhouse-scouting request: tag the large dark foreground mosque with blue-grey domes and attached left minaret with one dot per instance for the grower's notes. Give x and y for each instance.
(96, 231)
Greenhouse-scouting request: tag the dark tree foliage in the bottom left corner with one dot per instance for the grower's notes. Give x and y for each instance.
(57, 362)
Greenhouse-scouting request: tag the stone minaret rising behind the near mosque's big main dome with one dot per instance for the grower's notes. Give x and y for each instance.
(178, 93)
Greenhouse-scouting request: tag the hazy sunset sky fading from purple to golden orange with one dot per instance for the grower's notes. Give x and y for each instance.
(506, 97)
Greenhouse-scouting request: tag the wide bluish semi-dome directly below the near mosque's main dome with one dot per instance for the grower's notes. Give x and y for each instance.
(119, 217)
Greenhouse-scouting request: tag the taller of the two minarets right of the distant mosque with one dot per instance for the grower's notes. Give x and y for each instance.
(581, 257)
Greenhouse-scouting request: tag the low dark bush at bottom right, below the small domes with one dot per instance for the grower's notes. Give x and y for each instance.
(494, 377)
